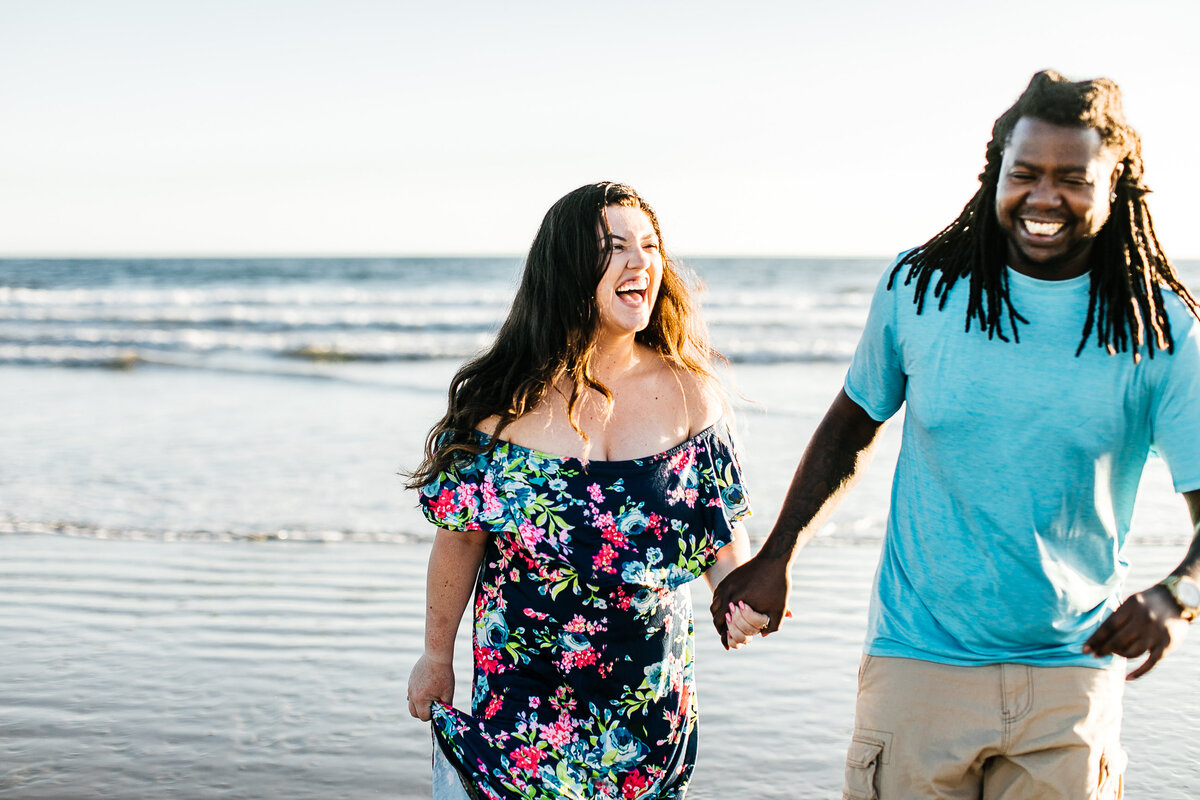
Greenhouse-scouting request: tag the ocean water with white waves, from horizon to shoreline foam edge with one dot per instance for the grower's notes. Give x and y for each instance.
(279, 399)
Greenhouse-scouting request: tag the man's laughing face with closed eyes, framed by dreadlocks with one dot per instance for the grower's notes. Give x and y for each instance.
(1053, 197)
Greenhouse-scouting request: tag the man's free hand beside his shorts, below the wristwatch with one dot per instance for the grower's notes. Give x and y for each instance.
(1149, 622)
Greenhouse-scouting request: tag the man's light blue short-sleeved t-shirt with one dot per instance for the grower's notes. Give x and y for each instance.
(1018, 471)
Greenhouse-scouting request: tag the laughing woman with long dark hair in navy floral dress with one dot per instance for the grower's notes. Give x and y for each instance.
(584, 474)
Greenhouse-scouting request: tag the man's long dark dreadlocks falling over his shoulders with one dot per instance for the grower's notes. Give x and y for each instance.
(1129, 268)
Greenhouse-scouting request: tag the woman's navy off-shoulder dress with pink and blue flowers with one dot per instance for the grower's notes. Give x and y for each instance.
(584, 622)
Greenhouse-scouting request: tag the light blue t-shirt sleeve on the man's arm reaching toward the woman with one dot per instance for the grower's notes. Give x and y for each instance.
(877, 380)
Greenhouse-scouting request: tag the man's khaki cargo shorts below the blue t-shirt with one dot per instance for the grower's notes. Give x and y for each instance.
(998, 732)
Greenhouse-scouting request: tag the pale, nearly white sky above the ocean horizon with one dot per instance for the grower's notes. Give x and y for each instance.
(371, 128)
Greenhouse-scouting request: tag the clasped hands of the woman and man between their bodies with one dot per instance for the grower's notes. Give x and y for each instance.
(752, 600)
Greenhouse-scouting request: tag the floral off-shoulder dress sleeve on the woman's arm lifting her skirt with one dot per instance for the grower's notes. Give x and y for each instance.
(464, 498)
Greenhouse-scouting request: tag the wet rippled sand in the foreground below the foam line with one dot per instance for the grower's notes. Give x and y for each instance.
(278, 670)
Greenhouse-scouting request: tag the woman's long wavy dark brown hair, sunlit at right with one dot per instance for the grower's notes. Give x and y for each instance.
(553, 329)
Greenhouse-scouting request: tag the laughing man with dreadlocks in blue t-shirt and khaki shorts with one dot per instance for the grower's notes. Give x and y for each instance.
(1043, 345)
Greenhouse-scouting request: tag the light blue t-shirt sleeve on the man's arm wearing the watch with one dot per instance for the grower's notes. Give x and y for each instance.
(1177, 412)
